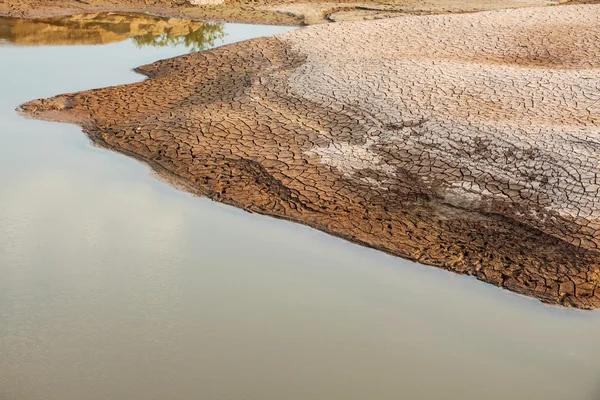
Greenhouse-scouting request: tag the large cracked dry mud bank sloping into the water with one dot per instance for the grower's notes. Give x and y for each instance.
(468, 142)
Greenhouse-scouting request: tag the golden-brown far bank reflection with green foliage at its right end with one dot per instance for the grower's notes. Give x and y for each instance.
(104, 28)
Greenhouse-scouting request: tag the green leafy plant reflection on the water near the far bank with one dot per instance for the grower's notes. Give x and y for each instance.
(198, 40)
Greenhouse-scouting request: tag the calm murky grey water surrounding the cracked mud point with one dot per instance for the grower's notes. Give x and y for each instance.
(114, 285)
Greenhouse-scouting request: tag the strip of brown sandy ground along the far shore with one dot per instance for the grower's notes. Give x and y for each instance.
(279, 12)
